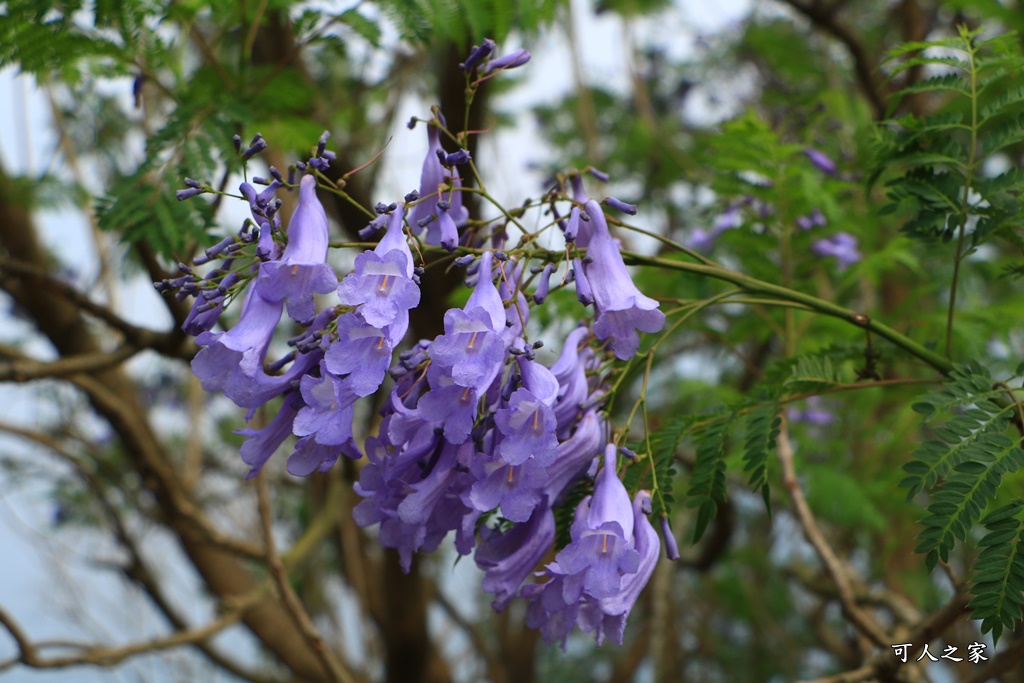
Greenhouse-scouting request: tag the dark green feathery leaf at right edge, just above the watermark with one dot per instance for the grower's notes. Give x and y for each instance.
(999, 574)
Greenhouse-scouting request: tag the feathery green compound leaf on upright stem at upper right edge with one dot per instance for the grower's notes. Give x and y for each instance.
(943, 157)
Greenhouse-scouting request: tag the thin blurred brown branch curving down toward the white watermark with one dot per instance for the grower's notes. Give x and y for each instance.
(864, 623)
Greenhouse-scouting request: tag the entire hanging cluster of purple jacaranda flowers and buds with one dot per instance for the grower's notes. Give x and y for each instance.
(479, 438)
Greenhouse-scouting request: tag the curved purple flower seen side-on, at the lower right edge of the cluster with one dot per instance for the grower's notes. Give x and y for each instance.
(607, 617)
